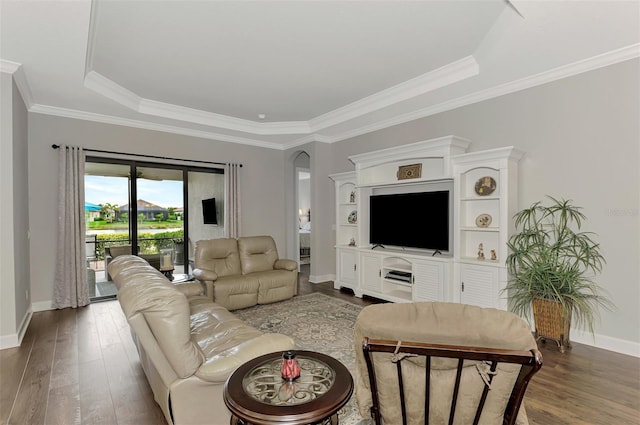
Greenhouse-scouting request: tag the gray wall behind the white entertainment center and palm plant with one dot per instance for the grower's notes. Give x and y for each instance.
(581, 136)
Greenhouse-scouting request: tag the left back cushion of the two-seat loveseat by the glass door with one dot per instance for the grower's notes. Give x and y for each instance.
(219, 255)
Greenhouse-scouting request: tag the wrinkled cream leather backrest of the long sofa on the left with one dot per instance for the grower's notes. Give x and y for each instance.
(145, 291)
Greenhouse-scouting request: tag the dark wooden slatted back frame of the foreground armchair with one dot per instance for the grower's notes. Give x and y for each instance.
(530, 362)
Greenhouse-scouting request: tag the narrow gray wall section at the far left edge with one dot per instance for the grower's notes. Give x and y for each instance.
(15, 297)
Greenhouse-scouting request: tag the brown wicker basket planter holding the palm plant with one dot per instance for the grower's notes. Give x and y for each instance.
(551, 322)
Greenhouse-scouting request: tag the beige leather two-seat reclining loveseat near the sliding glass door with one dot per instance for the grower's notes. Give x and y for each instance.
(243, 272)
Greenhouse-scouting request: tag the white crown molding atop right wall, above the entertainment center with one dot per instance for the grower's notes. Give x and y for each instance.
(590, 64)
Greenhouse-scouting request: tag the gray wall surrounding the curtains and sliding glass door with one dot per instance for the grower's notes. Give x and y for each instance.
(262, 192)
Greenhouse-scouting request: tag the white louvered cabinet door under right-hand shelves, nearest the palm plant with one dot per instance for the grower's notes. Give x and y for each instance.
(479, 285)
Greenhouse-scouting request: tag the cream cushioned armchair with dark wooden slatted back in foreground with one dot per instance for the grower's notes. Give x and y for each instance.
(459, 364)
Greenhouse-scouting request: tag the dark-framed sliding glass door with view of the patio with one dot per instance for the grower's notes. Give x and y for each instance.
(158, 215)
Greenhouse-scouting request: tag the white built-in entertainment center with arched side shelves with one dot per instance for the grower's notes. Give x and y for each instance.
(482, 200)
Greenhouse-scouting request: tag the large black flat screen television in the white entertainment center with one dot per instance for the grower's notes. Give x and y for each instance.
(410, 220)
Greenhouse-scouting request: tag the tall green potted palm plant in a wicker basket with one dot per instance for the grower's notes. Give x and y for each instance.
(552, 264)
